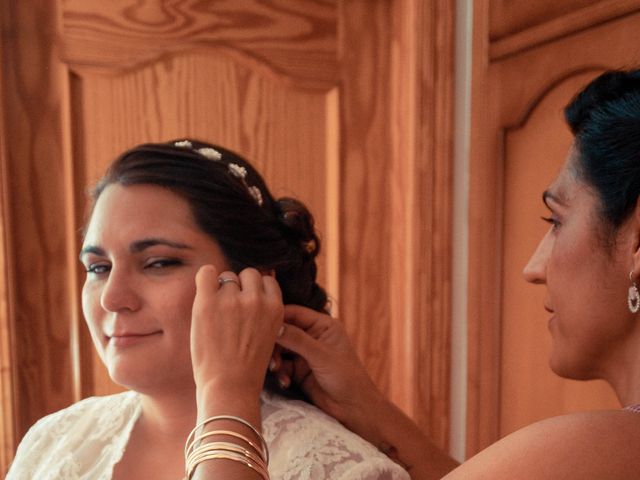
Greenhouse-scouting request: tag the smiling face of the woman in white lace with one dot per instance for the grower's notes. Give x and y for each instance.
(141, 251)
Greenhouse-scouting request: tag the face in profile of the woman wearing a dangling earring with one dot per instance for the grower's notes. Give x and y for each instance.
(586, 279)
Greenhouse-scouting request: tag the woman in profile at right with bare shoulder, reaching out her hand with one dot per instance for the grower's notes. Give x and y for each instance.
(589, 261)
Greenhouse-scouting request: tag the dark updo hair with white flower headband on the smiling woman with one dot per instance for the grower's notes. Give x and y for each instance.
(231, 203)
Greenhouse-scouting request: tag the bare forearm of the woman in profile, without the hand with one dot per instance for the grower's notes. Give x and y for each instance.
(389, 429)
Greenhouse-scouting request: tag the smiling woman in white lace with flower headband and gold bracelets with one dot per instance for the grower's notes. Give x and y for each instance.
(189, 259)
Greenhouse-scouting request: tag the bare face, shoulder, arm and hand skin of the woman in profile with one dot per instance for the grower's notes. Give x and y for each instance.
(586, 274)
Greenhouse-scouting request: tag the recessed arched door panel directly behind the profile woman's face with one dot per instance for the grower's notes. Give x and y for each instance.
(534, 153)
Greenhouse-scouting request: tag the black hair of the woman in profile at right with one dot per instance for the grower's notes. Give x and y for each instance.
(605, 119)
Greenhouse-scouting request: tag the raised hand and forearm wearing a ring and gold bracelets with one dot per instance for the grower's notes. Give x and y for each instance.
(233, 330)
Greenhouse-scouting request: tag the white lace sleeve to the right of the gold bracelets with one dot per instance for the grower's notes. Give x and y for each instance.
(306, 444)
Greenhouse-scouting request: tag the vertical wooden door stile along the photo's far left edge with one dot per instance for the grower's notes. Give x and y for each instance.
(34, 239)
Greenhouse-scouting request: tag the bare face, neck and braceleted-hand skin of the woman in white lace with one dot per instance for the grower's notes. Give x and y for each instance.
(165, 327)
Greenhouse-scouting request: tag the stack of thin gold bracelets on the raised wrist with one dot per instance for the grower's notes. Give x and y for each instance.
(254, 457)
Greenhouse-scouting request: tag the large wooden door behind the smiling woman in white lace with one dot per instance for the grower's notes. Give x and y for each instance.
(344, 104)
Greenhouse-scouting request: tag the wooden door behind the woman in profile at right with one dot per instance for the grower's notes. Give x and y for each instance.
(531, 63)
